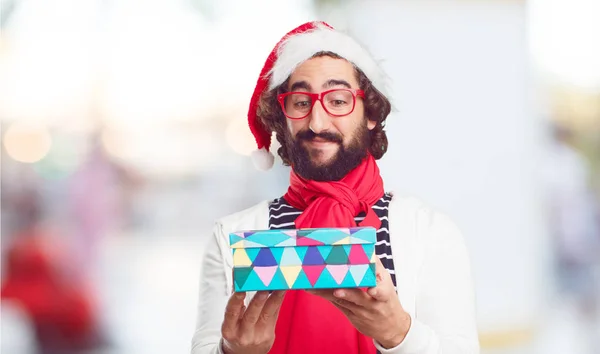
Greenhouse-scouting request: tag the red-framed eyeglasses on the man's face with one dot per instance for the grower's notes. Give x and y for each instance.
(336, 102)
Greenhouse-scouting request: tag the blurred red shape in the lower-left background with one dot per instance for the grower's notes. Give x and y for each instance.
(60, 306)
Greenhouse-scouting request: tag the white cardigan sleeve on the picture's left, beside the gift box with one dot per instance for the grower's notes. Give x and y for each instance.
(214, 294)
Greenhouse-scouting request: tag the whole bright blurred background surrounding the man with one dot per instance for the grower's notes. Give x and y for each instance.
(124, 137)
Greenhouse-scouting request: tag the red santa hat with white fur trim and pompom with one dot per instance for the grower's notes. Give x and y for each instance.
(297, 46)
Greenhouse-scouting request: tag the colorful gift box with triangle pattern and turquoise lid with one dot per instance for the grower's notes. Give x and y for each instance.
(303, 258)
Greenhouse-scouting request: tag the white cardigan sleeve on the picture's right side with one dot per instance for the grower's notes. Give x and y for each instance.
(444, 320)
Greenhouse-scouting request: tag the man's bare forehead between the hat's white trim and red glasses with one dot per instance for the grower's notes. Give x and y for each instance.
(317, 71)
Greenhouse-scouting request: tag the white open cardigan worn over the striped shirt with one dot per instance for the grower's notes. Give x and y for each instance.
(433, 279)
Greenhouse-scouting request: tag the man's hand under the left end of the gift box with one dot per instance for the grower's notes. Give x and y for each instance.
(251, 330)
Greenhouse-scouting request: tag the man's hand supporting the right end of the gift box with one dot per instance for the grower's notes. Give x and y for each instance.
(376, 313)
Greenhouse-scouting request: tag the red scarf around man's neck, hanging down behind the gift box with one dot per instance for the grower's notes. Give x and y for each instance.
(307, 323)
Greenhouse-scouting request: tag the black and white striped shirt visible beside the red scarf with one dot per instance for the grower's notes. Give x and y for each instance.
(282, 216)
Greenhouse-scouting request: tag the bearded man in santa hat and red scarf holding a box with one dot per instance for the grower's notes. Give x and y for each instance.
(323, 95)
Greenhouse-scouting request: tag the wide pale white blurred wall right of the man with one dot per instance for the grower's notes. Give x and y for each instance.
(465, 137)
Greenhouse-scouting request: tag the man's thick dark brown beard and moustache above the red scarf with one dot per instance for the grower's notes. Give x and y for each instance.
(345, 160)
